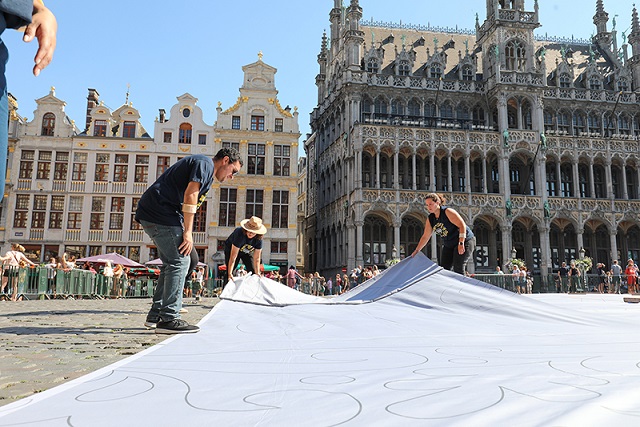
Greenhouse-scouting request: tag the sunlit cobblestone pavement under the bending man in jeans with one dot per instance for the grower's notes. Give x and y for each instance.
(47, 343)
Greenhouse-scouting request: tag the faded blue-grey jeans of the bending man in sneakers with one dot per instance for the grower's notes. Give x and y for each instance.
(167, 299)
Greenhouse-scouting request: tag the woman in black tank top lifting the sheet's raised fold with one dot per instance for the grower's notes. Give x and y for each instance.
(457, 238)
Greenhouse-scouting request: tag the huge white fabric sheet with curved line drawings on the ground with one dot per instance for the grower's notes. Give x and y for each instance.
(416, 346)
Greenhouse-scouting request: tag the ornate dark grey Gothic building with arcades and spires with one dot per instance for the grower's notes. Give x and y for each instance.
(533, 140)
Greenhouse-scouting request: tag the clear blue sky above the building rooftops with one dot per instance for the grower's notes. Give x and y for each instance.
(163, 49)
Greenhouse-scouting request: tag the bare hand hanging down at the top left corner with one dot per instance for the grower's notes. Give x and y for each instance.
(44, 27)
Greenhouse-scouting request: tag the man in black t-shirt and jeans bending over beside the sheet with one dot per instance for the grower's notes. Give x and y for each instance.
(166, 211)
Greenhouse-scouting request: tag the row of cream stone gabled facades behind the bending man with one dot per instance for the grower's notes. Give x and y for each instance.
(76, 190)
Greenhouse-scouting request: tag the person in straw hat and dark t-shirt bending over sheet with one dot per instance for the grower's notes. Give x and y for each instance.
(245, 243)
